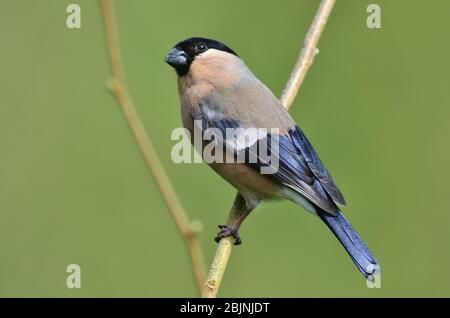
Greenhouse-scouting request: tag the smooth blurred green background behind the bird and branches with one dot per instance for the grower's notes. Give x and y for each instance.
(75, 189)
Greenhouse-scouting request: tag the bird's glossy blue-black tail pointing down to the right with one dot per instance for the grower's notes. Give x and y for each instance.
(356, 248)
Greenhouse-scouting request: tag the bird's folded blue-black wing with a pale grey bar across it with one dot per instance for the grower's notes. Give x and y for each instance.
(299, 167)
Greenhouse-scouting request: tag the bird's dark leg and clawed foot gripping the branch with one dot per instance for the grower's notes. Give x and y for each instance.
(239, 212)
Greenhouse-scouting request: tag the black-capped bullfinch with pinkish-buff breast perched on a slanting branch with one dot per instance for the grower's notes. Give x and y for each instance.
(218, 91)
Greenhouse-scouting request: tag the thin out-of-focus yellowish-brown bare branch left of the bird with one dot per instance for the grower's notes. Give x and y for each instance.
(120, 90)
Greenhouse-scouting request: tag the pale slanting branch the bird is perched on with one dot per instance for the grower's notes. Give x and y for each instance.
(298, 74)
